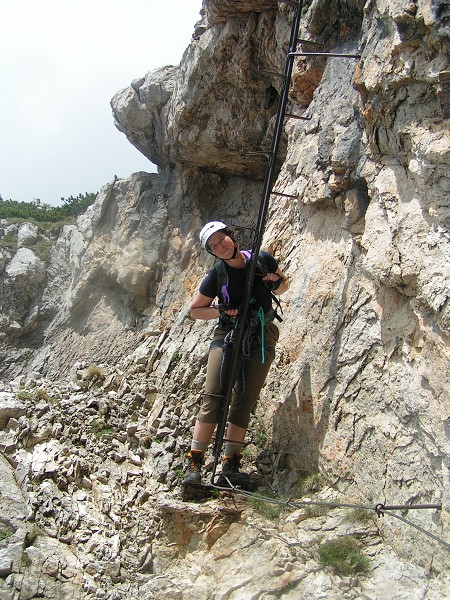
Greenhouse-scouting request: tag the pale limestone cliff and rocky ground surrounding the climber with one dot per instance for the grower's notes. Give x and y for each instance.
(359, 386)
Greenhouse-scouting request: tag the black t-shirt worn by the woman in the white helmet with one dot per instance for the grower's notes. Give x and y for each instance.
(236, 284)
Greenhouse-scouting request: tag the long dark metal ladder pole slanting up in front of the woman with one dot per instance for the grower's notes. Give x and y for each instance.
(268, 182)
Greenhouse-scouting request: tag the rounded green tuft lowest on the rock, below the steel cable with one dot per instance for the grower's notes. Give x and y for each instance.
(343, 556)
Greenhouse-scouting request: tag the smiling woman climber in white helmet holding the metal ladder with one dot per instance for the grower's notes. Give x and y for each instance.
(226, 281)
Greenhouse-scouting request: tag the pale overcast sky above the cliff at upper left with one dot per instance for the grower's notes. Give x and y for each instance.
(61, 61)
